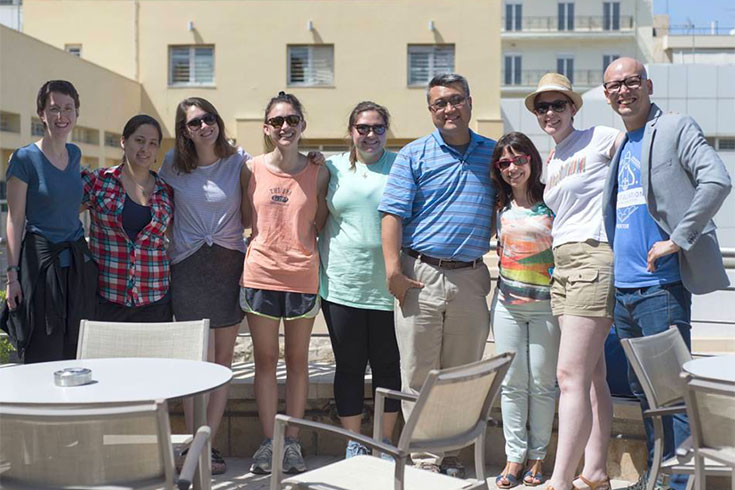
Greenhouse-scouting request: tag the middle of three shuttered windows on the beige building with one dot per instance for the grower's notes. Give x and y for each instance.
(311, 66)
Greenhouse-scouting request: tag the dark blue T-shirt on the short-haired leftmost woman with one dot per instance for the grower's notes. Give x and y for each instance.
(54, 196)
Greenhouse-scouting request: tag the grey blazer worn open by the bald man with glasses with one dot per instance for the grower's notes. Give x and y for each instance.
(685, 183)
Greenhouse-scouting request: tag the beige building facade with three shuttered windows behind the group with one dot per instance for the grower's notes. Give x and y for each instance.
(238, 53)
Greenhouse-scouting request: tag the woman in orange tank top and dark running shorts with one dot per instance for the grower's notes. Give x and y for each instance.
(280, 280)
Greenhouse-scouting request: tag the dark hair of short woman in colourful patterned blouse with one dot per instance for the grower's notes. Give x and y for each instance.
(519, 143)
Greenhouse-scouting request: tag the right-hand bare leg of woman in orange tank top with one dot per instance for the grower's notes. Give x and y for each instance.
(298, 334)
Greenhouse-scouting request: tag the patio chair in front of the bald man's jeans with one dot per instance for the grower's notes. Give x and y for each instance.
(657, 361)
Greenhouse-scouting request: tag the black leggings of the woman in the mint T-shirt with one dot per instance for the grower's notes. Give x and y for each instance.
(360, 335)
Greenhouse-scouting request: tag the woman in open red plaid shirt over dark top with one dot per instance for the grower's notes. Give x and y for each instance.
(130, 209)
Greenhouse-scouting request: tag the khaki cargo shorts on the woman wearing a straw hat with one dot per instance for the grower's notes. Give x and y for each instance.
(582, 283)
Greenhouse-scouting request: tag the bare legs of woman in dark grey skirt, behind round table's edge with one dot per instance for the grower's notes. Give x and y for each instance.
(220, 351)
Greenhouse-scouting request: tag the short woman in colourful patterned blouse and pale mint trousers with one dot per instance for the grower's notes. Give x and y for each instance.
(521, 311)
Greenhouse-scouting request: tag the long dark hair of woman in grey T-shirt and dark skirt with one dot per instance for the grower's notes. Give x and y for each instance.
(185, 154)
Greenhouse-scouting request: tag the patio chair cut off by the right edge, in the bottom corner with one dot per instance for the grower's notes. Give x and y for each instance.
(711, 410)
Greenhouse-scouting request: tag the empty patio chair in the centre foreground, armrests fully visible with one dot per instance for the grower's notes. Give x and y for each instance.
(452, 411)
